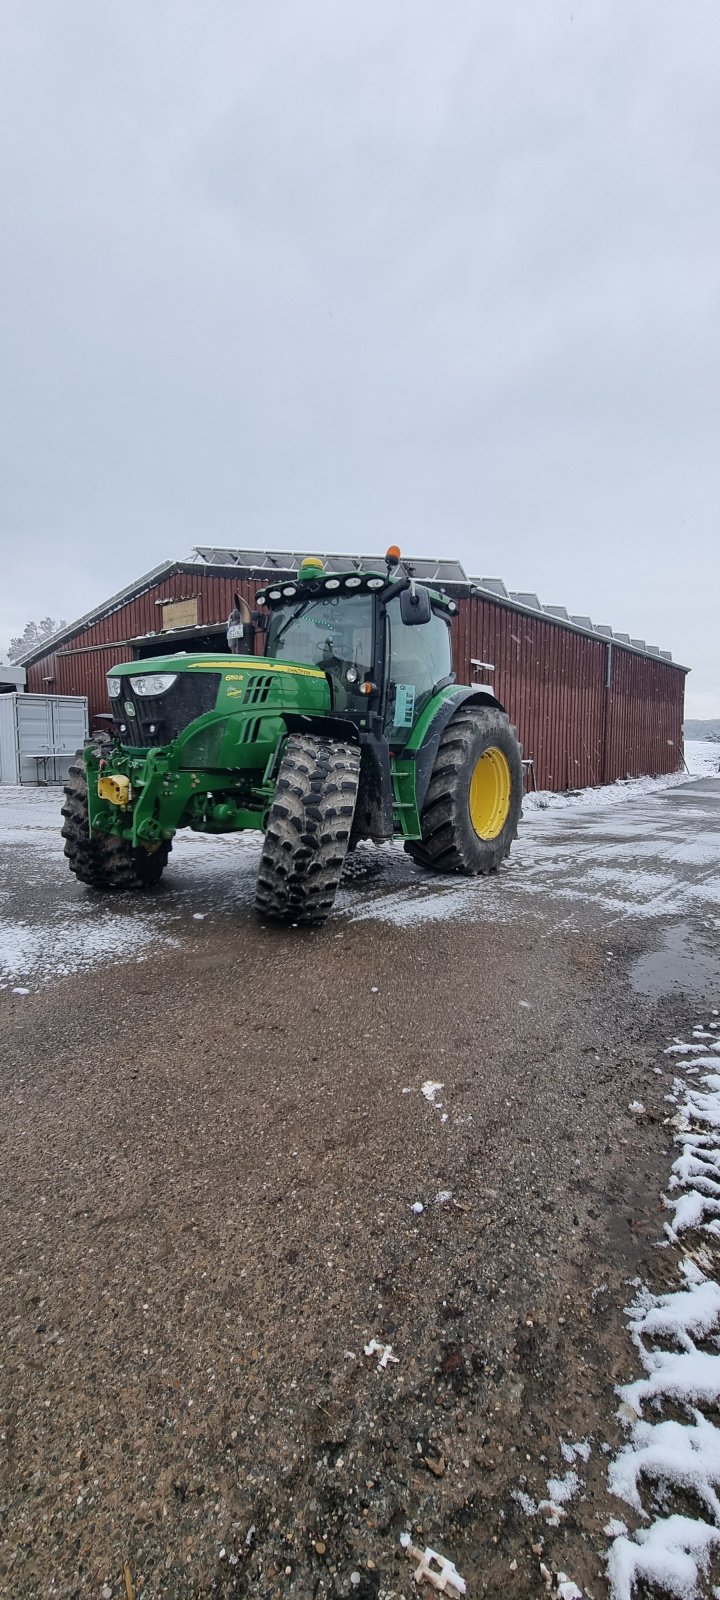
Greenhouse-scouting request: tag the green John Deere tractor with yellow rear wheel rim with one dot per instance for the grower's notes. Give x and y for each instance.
(350, 727)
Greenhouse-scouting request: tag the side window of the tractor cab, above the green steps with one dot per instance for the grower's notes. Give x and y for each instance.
(420, 658)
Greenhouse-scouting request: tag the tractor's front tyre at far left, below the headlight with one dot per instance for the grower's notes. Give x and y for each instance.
(105, 863)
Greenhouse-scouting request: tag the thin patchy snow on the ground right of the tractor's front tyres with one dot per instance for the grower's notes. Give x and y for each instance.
(647, 860)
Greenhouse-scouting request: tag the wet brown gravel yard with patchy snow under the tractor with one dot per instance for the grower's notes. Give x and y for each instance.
(231, 1158)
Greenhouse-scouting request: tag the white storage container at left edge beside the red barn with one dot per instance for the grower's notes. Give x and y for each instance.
(39, 737)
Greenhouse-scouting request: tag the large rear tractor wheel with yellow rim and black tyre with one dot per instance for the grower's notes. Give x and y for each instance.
(474, 798)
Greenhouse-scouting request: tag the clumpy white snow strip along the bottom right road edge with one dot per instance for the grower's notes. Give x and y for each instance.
(670, 1470)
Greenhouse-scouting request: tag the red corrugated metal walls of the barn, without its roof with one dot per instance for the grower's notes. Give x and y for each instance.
(553, 679)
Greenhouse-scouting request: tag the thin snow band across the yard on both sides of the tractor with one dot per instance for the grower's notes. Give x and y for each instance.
(593, 849)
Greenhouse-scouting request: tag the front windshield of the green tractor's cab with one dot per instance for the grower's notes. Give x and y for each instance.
(334, 633)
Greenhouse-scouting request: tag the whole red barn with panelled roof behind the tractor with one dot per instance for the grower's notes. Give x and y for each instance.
(590, 705)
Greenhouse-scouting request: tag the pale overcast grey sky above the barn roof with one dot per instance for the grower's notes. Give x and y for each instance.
(335, 273)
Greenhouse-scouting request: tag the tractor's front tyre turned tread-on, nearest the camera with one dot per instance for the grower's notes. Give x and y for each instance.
(308, 831)
